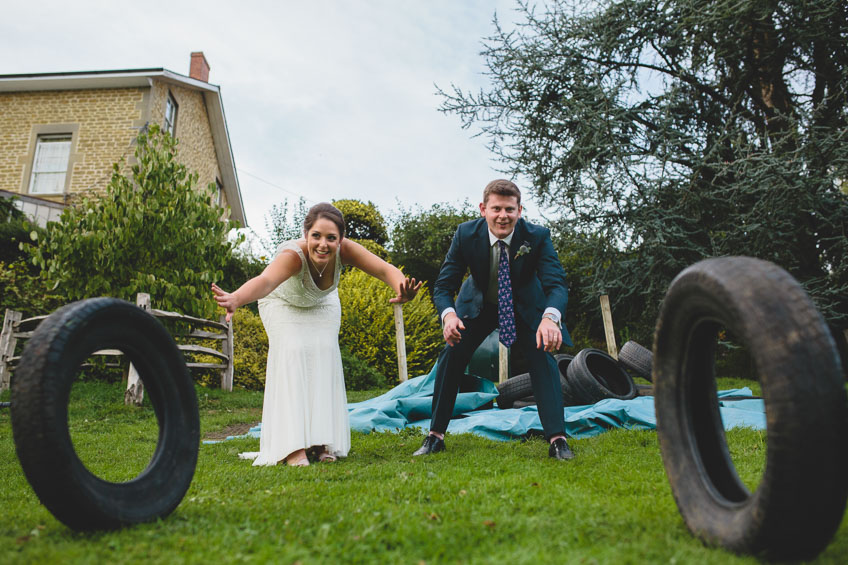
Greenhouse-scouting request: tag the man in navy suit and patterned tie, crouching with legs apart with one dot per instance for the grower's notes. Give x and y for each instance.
(516, 284)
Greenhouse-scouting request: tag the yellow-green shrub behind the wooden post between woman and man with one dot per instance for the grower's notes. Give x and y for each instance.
(368, 329)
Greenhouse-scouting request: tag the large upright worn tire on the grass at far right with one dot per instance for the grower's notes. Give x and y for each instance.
(801, 497)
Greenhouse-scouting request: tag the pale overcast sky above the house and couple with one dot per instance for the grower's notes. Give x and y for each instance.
(324, 99)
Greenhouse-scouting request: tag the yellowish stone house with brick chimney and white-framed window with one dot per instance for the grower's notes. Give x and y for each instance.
(60, 133)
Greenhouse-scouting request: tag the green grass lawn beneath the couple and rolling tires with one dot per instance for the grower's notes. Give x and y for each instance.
(481, 502)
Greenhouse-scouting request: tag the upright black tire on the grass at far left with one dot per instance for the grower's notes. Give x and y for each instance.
(40, 395)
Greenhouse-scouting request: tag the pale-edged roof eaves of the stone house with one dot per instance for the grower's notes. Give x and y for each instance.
(141, 78)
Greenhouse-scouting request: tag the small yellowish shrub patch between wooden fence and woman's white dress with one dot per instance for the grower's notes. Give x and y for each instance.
(251, 350)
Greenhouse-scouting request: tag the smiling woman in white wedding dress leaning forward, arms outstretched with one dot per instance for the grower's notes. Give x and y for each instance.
(305, 407)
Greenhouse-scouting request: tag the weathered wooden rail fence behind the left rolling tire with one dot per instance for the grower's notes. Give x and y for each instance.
(15, 328)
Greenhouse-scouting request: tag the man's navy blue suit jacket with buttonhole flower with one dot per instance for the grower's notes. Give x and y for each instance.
(538, 279)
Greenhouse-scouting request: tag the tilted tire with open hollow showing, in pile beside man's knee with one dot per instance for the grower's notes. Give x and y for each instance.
(593, 376)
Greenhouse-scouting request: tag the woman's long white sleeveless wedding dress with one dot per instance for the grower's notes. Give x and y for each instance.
(305, 402)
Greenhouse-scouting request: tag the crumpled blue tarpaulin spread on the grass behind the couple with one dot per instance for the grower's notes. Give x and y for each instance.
(409, 405)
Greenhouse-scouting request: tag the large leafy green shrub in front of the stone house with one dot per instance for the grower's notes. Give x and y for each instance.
(153, 231)
